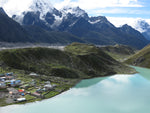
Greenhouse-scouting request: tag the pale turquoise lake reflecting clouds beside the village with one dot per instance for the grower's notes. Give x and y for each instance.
(113, 94)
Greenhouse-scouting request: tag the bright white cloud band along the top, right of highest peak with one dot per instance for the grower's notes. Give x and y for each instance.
(94, 4)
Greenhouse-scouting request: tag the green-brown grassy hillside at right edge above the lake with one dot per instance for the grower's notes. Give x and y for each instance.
(141, 58)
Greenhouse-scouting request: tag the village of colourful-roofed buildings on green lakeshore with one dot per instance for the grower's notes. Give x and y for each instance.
(14, 89)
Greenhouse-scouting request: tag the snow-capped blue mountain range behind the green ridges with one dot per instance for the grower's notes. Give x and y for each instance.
(41, 22)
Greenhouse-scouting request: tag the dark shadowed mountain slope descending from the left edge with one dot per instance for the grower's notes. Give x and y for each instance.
(11, 31)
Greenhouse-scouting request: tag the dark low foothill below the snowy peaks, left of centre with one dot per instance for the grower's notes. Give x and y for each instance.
(53, 37)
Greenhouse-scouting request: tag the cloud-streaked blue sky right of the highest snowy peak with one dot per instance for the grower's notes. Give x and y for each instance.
(110, 8)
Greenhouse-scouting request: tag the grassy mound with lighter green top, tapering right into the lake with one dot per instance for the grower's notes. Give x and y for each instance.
(97, 61)
